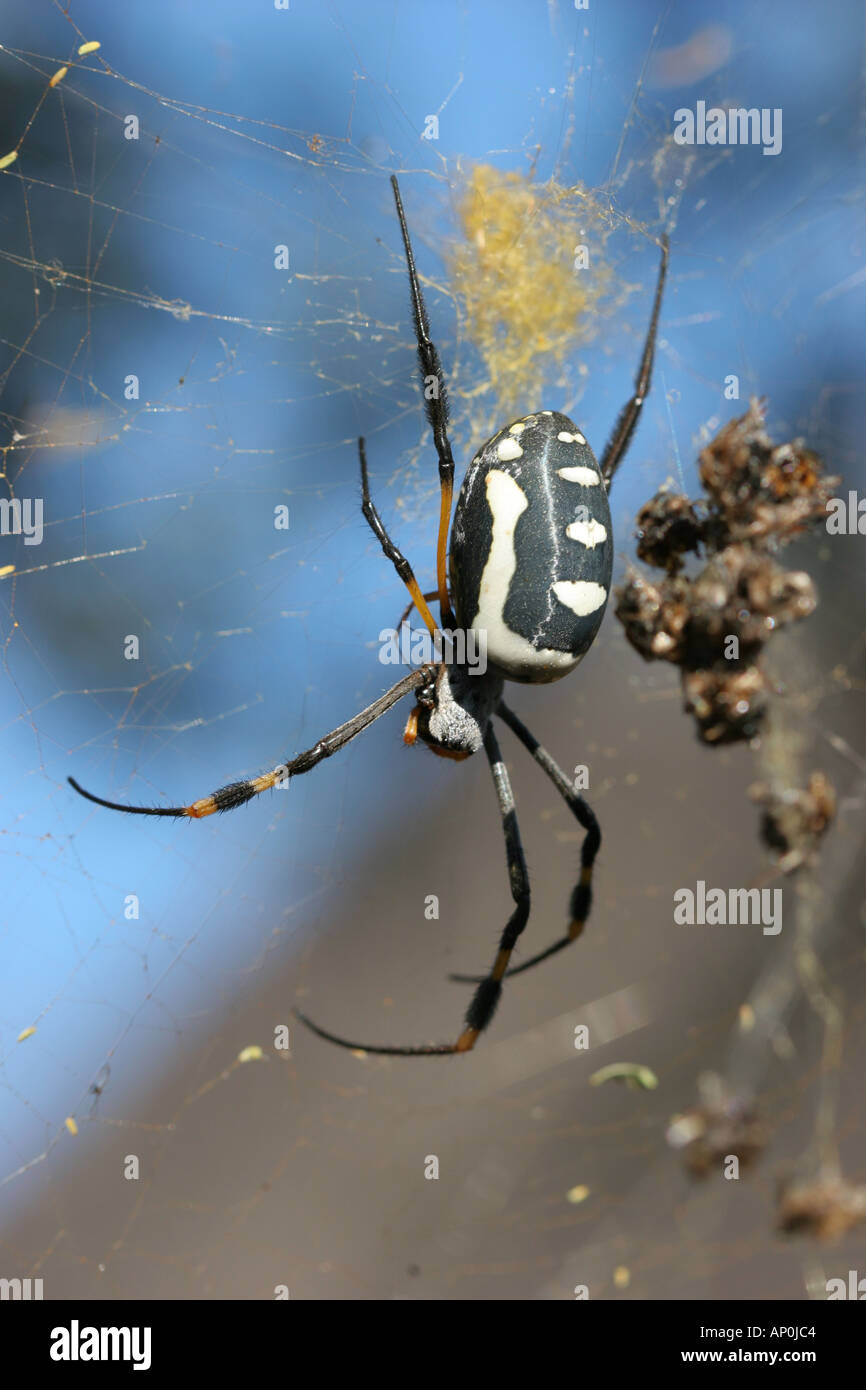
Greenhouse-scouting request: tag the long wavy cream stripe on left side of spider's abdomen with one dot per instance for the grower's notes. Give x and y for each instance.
(509, 650)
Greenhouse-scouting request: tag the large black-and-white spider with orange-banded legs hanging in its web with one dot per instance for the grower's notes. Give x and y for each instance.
(525, 575)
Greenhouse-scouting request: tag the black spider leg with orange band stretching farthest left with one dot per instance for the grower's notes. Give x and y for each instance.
(240, 793)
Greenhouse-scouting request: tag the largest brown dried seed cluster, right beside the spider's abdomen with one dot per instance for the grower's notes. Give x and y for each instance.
(717, 623)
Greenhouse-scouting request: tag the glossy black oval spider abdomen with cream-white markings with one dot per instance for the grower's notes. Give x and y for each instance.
(532, 548)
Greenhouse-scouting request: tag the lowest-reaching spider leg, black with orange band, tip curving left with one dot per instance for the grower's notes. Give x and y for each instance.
(490, 988)
